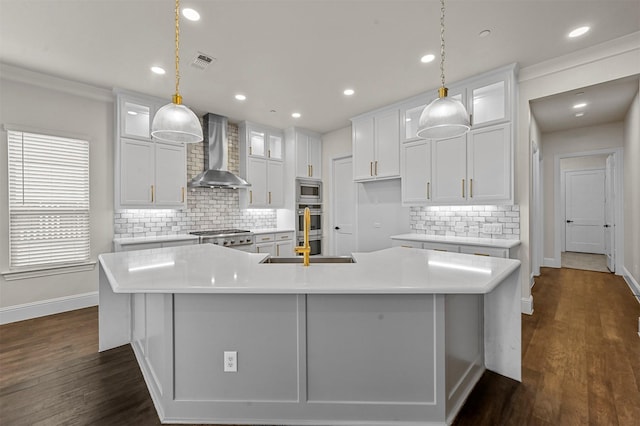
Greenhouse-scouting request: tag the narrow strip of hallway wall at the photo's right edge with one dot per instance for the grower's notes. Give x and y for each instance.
(632, 190)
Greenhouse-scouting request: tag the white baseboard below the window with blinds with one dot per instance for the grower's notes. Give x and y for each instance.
(47, 307)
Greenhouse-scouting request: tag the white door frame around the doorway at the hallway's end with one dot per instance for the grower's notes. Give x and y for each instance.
(618, 203)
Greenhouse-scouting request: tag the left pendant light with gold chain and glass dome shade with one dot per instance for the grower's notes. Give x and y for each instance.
(175, 122)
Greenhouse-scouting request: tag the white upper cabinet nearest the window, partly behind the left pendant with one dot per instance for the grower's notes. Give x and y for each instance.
(148, 174)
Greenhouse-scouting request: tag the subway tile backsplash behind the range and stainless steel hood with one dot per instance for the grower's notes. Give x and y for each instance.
(207, 208)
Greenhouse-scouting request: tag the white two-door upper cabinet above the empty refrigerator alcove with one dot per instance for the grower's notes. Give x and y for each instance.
(376, 145)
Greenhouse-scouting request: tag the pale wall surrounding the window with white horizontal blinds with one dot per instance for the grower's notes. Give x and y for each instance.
(76, 109)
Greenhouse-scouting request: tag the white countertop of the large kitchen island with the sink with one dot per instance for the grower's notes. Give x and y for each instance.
(207, 268)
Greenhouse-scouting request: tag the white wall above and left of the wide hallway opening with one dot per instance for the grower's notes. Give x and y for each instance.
(604, 62)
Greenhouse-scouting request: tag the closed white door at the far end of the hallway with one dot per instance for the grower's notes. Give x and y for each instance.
(584, 211)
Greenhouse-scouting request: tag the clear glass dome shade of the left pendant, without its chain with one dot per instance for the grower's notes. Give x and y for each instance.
(176, 123)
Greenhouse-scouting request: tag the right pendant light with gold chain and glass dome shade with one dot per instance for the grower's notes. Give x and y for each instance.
(444, 117)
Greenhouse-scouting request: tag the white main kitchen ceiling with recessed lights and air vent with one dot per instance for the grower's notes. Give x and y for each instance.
(296, 55)
